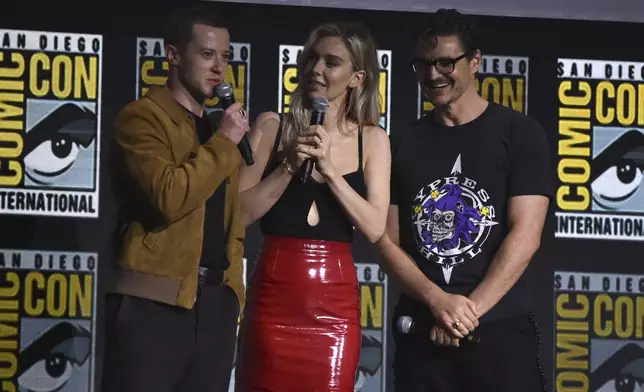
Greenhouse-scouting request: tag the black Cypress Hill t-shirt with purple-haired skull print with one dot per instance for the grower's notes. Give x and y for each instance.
(452, 185)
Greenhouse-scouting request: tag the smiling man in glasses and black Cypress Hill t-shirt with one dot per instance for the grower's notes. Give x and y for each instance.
(470, 189)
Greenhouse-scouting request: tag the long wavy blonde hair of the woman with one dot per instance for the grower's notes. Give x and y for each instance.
(362, 104)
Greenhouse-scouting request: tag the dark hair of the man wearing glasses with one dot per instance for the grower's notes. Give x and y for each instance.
(446, 22)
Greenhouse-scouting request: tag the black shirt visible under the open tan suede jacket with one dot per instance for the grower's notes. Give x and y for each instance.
(213, 253)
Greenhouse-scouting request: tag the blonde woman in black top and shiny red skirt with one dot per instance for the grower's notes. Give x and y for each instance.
(301, 327)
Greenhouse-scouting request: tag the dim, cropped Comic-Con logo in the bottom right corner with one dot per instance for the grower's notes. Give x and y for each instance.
(598, 336)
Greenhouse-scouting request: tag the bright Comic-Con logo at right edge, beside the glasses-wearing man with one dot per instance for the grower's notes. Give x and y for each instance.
(601, 136)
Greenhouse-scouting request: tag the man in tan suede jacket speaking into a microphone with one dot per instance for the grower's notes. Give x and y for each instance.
(173, 306)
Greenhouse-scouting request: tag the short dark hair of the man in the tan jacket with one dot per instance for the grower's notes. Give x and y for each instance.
(179, 27)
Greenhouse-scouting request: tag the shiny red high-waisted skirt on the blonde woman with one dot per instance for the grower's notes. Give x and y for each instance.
(301, 328)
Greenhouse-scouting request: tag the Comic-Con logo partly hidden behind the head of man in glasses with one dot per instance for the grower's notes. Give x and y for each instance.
(501, 79)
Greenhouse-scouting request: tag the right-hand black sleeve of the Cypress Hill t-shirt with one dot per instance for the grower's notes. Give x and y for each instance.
(530, 171)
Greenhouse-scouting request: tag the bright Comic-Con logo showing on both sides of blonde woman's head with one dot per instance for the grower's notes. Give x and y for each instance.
(288, 81)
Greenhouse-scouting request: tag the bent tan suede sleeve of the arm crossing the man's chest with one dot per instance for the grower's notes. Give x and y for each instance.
(147, 158)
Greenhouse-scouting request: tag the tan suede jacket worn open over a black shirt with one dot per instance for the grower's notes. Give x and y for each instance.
(162, 178)
